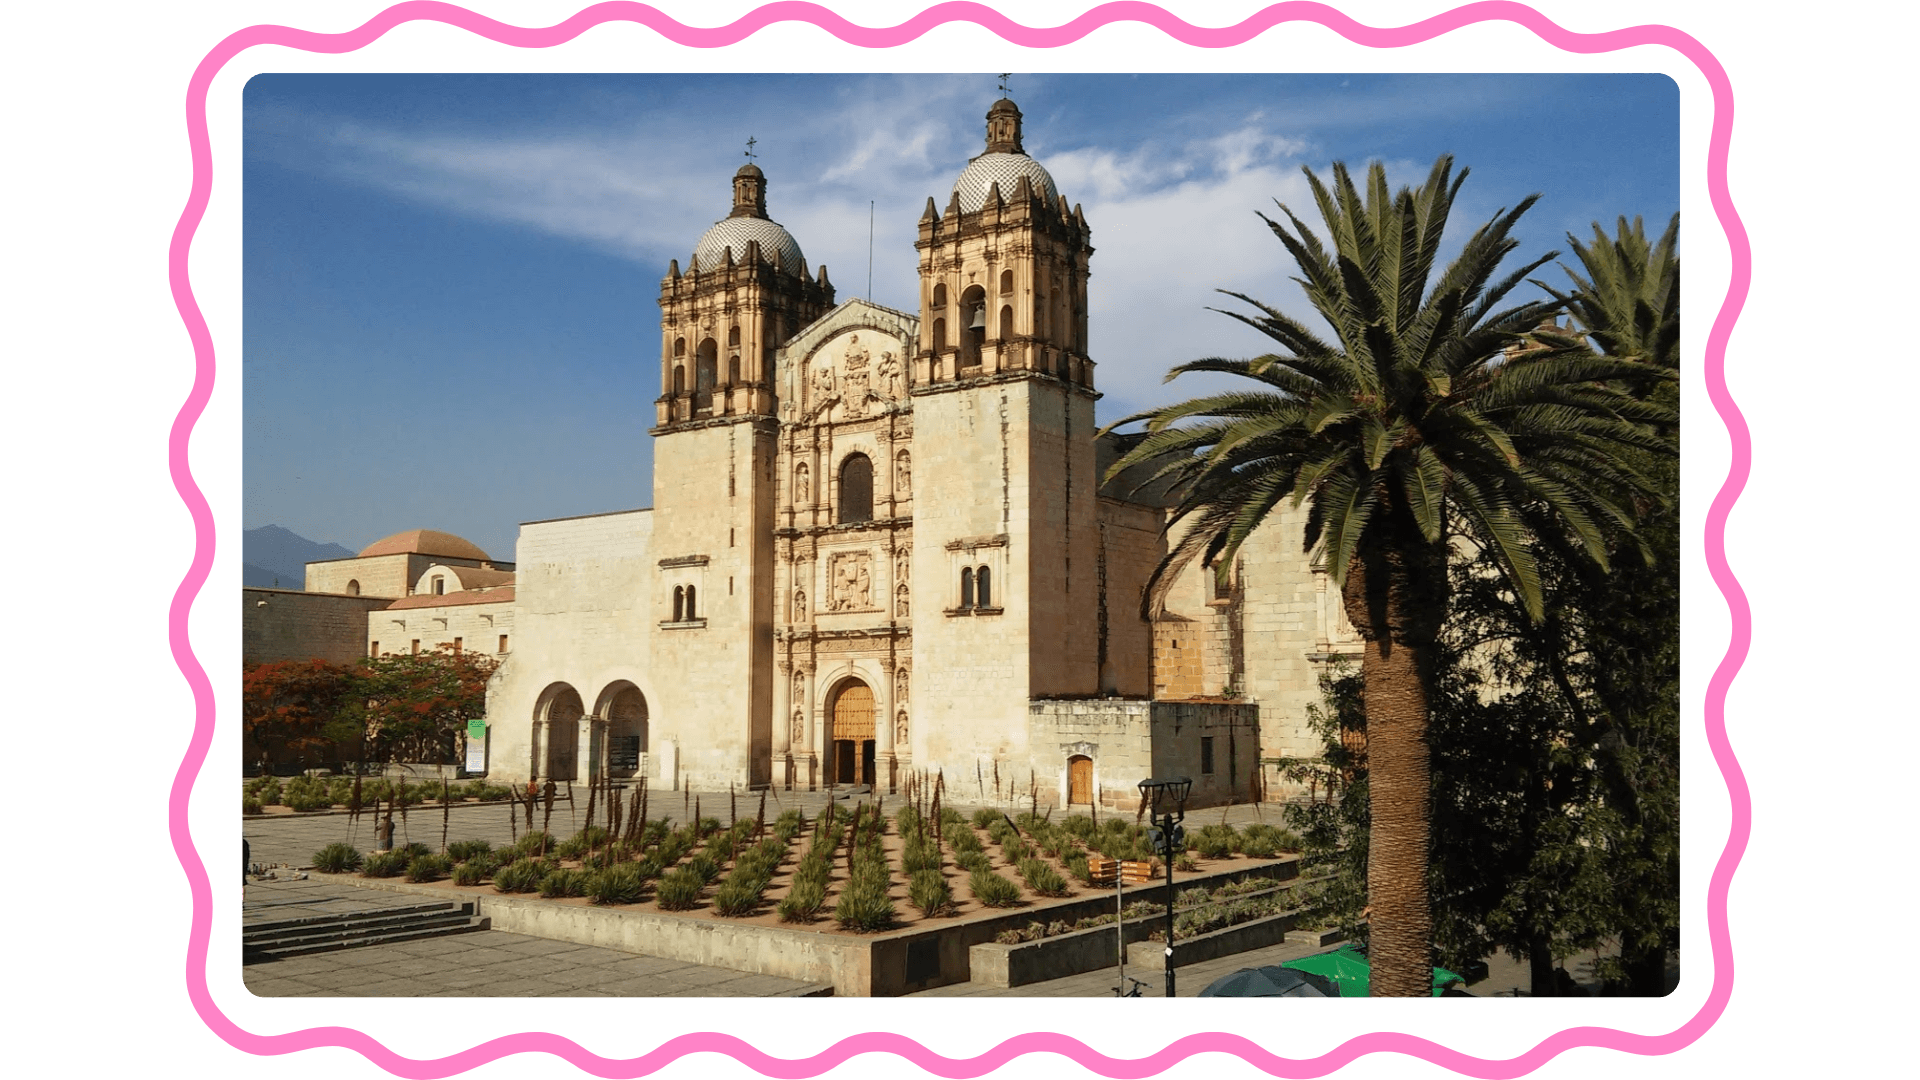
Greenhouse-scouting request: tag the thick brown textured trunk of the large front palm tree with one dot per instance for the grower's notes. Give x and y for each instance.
(1401, 781)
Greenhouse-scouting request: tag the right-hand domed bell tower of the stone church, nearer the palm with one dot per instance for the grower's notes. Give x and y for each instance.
(1005, 493)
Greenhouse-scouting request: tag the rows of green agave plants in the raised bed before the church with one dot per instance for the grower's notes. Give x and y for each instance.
(683, 866)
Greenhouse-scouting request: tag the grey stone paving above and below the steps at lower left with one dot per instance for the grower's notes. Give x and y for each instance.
(487, 964)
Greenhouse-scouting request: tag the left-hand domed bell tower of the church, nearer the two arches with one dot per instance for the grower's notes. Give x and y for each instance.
(744, 295)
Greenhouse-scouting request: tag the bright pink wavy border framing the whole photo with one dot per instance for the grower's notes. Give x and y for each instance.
(1030, 1043)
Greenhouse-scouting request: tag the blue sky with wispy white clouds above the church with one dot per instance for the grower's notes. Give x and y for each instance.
(450, 282)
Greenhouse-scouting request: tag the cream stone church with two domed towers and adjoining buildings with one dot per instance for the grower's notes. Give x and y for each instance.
(880, 543)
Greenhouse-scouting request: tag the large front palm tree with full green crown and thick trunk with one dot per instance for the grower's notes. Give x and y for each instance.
(1431, 412)
